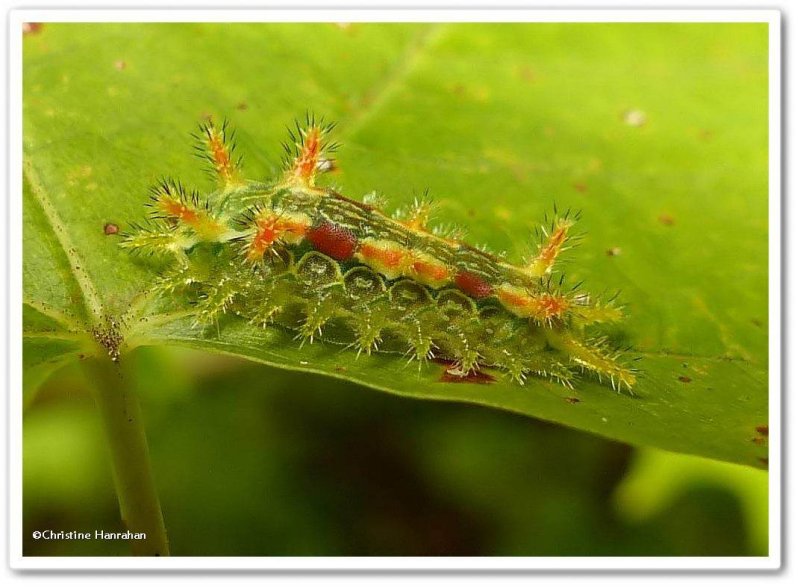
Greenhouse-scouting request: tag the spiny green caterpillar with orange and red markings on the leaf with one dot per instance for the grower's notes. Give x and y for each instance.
(292, 254)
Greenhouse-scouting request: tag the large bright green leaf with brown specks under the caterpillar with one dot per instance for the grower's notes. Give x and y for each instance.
(658, 132)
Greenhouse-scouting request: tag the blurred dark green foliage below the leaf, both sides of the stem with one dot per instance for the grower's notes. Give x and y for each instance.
(316, 467)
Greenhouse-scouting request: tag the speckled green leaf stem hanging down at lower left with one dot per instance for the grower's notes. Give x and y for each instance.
(124, 431)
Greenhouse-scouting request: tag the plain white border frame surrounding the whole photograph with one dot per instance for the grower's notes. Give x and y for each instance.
(19, 562)
